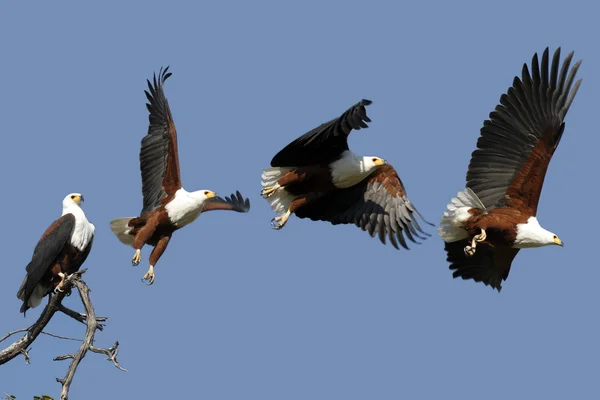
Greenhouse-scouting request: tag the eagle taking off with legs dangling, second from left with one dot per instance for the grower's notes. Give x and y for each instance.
(167, 205)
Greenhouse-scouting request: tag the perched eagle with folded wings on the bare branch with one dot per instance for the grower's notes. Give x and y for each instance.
(60, 252)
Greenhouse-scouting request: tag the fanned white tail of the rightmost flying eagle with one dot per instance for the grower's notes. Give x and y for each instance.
(456, 214)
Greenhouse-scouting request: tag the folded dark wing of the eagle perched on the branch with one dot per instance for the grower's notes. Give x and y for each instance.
(49, 246)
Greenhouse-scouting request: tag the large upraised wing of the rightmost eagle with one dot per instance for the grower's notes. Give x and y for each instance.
(519, 139)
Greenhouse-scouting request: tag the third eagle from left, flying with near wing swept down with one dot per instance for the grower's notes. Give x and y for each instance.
(318, 177)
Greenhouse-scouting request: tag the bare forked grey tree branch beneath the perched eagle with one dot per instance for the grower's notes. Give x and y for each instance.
(21, 346)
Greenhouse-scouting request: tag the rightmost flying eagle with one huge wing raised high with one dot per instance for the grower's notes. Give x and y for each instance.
(485, 225)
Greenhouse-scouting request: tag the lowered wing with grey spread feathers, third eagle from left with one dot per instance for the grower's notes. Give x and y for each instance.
(378, 205)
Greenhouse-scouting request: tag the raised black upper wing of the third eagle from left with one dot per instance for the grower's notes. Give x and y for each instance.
(325, 143)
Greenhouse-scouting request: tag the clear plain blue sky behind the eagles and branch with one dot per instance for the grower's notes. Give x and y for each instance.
(315, 311)
